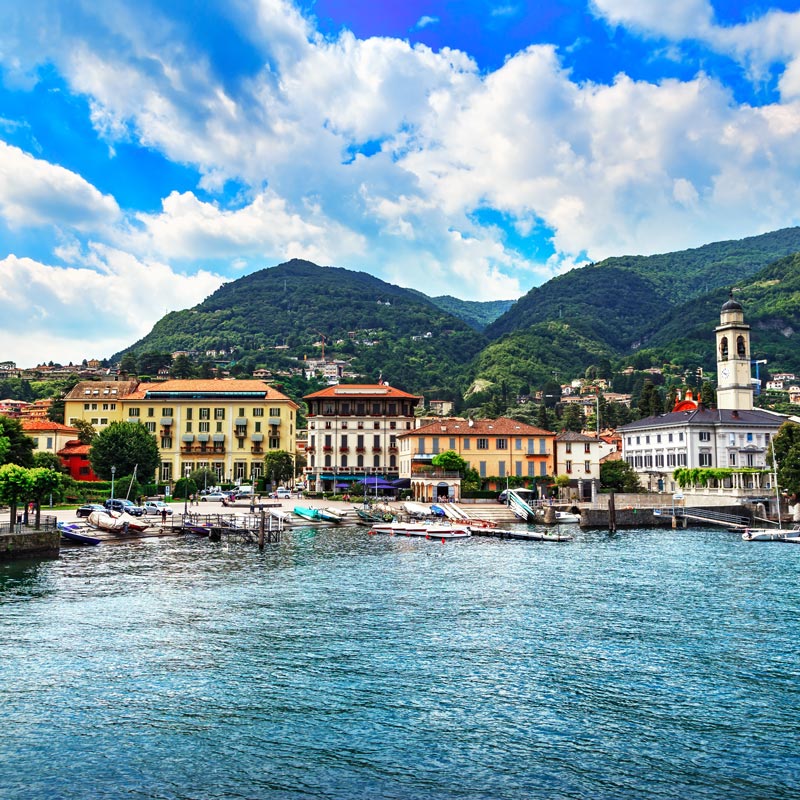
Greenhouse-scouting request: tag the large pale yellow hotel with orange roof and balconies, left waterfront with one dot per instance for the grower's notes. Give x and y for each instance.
(227, 426)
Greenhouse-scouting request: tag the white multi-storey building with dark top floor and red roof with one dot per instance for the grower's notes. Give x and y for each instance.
(353, 433)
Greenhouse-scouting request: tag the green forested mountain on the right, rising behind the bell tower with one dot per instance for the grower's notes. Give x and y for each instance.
(668, 303)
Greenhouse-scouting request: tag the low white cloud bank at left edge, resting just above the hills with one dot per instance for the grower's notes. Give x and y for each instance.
(115, 300)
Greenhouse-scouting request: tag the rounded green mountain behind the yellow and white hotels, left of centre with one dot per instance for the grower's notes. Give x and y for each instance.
(382, 329)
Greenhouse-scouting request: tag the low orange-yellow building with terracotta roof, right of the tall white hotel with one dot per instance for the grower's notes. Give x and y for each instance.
(496, 448)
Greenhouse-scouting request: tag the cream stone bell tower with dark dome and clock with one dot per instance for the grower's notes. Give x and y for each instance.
(734, 387)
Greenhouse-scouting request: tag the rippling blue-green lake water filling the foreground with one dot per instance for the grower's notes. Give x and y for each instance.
(649, 664)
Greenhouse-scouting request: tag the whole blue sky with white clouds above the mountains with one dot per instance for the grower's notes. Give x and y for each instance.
(150, 151)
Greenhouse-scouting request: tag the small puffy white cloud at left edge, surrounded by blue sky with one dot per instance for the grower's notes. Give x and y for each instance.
(34, 192)
